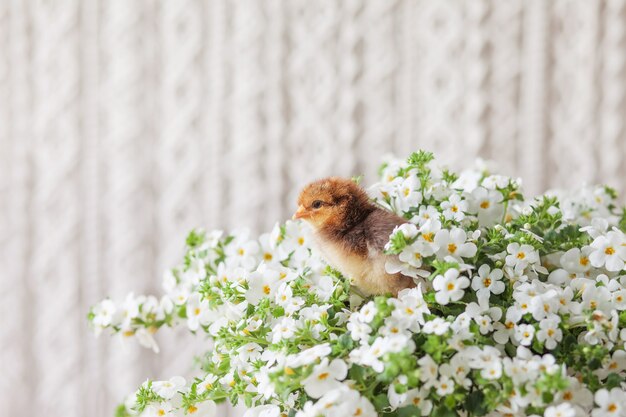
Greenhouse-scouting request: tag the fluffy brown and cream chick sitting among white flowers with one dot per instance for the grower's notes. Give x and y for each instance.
(351, 233)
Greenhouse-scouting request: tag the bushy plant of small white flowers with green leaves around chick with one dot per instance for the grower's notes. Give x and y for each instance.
(524, 313)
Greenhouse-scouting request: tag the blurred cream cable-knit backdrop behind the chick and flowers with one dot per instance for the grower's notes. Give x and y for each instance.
(123, 124)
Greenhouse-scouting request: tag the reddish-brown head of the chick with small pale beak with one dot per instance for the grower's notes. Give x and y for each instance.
(332, 203)
